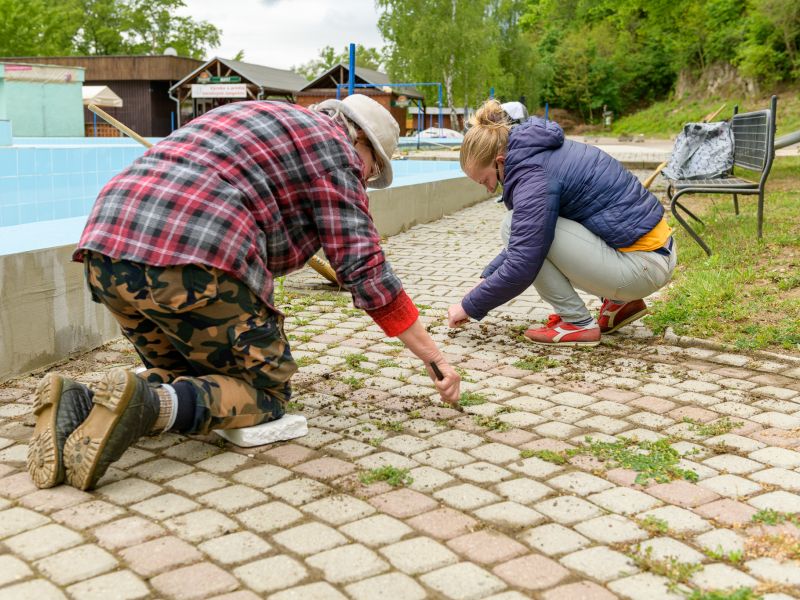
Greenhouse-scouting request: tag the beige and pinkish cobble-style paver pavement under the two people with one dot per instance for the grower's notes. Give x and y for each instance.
(498, 507)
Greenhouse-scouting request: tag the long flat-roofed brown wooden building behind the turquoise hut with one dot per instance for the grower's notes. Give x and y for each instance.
(143, 83)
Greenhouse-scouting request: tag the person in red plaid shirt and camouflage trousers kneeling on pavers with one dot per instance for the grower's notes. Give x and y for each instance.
(183, 247)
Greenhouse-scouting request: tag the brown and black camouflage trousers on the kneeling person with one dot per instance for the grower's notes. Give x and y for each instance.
(199, 325)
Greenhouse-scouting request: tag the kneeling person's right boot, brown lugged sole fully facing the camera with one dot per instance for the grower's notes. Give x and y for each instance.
(125, 409)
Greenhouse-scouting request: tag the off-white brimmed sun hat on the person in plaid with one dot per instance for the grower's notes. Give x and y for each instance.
(377, 123)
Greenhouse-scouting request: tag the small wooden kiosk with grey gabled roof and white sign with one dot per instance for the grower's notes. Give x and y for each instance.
(221, 81)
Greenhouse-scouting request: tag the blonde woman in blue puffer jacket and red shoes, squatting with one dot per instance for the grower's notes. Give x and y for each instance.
(579, 220)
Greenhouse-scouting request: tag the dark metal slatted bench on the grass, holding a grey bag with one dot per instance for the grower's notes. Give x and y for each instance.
(753, 148)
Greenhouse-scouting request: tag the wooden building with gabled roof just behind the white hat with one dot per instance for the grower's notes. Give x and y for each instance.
(394, 99)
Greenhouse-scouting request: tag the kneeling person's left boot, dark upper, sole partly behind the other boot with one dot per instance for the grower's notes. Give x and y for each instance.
(60, 406)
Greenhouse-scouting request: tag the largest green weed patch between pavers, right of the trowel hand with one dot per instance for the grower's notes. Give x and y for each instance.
(651, 460)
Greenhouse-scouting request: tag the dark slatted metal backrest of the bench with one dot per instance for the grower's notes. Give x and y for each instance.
(754, 139)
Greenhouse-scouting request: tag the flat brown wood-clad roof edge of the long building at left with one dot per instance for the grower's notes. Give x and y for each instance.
(120, 68)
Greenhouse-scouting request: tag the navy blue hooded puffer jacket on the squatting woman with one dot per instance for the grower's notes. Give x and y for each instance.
(547, 177)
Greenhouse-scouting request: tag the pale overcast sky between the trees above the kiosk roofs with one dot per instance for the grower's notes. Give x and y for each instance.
(283, 33)
